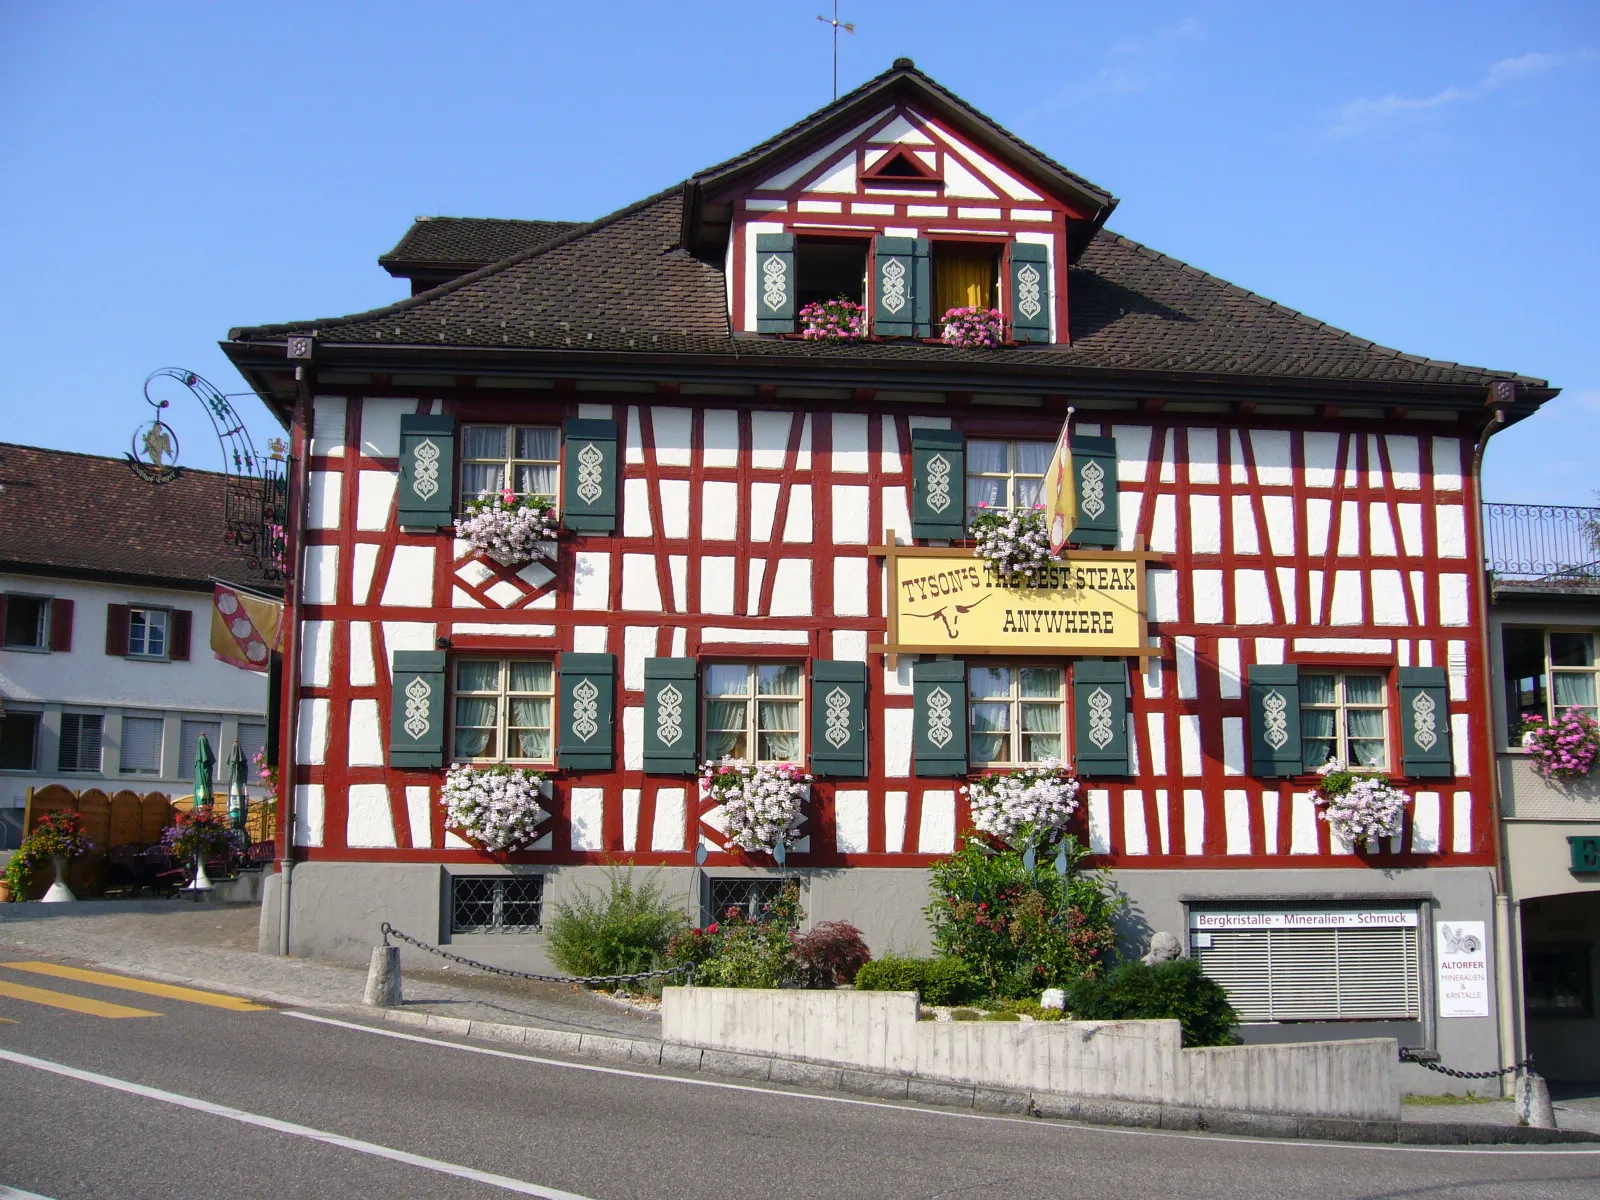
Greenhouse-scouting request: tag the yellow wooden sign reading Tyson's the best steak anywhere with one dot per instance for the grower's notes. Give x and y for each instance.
(946, 601)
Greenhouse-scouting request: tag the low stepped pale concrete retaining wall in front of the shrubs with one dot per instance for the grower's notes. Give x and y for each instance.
(1140, 1062)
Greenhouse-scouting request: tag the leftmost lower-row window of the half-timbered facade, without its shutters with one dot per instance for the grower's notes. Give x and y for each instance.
(505, 711)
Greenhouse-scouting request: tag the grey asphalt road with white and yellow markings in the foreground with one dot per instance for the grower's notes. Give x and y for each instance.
(199, 1102)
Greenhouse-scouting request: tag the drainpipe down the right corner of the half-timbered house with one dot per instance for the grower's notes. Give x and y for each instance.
(1508, 956)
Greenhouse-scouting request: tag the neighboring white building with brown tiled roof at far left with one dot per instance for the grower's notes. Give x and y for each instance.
(106, 671)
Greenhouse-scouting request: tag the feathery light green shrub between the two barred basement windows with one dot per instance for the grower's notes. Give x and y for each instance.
(625, 930)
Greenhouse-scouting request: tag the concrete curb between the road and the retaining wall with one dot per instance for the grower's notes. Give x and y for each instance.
(940, 1094)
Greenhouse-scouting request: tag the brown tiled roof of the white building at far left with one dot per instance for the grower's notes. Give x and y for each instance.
(90, 514)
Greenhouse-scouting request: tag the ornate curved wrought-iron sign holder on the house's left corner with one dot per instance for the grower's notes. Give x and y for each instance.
(255, 487)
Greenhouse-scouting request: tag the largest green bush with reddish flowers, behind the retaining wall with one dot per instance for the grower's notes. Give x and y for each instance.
(1018, 927)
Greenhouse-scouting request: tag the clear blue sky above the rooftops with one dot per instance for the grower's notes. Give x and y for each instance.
(1426, 175)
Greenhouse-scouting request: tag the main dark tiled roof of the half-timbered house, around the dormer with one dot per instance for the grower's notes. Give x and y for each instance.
(625, 284)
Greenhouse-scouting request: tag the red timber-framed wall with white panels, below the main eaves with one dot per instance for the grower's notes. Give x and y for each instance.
(1326, 542)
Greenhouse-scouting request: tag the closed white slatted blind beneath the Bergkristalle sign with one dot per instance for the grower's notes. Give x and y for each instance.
(1318, 975)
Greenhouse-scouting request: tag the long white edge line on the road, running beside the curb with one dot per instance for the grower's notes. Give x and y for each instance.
(1031, 1122)
